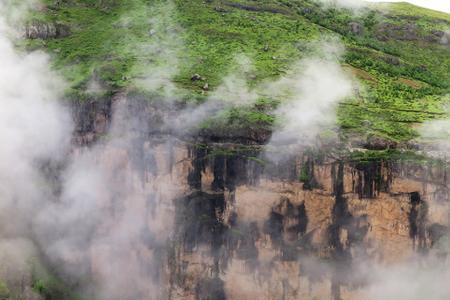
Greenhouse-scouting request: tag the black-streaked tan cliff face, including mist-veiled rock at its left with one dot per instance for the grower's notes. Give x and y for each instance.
(296, 229)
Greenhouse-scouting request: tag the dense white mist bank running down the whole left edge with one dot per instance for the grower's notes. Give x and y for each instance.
(34, 130)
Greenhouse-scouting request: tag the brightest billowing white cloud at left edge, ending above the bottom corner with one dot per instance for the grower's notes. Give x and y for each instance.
(34, 128)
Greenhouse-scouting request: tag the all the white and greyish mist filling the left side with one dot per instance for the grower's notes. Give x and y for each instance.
(85, 211)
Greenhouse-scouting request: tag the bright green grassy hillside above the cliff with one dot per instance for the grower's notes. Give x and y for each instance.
(397, 51)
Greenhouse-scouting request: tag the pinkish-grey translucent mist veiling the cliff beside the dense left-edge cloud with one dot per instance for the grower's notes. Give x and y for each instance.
(114, 214)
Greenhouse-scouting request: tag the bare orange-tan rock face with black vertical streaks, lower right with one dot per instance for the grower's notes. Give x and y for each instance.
(274, 239)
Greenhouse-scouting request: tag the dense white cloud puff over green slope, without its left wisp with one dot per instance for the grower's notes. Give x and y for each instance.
(310, 93)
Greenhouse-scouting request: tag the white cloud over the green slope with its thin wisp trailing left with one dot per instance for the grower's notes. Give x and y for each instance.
(308, 93)
